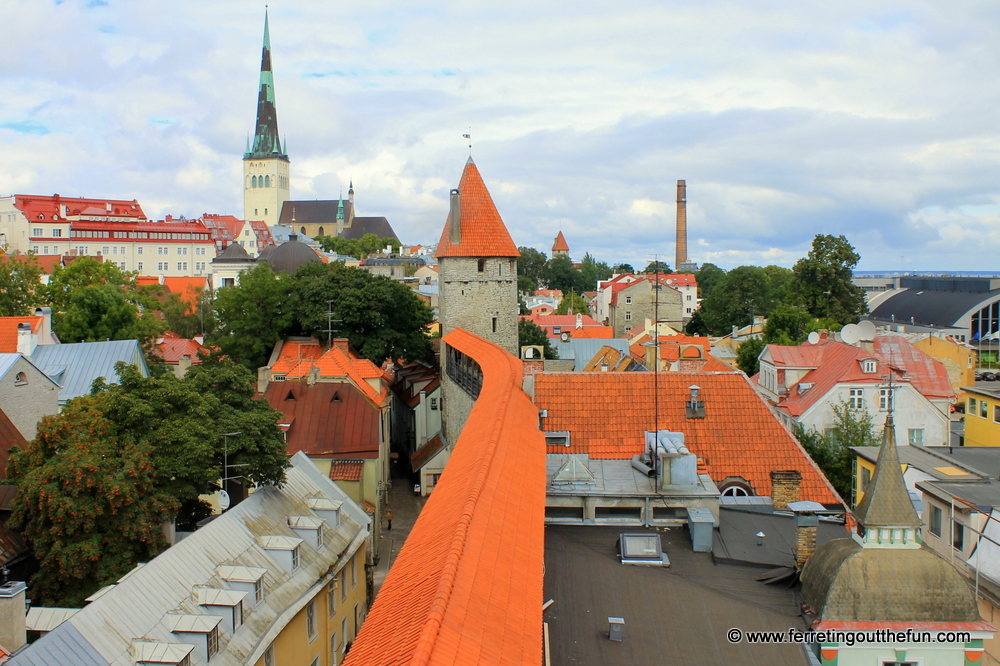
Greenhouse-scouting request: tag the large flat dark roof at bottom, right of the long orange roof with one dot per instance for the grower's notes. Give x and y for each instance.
(676, 615)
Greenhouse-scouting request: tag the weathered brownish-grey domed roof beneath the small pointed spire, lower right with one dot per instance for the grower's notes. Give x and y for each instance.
(843, 581)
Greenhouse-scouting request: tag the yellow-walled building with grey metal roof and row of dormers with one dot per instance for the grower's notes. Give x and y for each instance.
(278, 579)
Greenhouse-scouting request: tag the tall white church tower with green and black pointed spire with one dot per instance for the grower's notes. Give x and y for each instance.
(265, 164)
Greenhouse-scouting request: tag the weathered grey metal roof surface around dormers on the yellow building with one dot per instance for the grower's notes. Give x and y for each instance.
(144, 604)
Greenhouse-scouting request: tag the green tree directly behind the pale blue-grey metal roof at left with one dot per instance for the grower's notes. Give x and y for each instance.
(105, 312)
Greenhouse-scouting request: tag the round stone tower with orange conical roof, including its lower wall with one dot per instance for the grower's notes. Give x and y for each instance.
(478, 286)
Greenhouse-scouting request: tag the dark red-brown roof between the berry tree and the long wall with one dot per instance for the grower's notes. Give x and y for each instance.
(328, 420)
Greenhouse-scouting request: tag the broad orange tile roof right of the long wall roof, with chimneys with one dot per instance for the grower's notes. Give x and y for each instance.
(607, 414)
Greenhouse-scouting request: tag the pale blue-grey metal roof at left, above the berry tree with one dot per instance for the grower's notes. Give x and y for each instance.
(75, 366)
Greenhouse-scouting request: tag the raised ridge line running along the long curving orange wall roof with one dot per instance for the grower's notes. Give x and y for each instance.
(432, 626)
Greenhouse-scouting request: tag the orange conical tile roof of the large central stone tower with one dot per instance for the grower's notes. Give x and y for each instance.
(483, 231)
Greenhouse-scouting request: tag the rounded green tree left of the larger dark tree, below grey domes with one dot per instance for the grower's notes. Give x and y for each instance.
(253, 316)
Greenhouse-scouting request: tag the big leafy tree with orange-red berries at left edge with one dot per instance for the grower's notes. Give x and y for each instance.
(88, 502)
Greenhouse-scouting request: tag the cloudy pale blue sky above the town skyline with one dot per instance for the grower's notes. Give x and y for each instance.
(878, 121)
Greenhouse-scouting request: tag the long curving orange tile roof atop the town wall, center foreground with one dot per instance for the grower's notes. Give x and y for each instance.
(467, 586)
